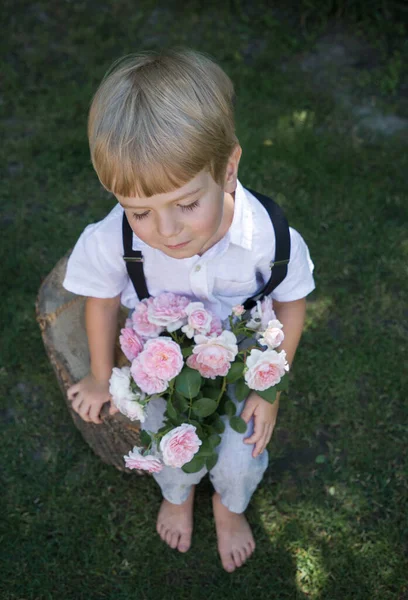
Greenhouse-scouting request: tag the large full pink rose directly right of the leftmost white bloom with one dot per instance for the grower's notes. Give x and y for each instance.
(161, 358)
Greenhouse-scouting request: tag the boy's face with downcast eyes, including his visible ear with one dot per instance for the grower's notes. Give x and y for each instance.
(189, 220)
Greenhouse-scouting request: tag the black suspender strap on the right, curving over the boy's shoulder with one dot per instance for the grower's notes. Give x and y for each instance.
(279, 266)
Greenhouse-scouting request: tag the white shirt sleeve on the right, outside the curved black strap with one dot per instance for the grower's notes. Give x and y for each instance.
(299, 281)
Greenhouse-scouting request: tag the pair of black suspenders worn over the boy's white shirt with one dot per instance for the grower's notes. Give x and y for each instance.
(279, 266)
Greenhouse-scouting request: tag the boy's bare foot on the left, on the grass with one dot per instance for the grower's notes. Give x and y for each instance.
(175, 523)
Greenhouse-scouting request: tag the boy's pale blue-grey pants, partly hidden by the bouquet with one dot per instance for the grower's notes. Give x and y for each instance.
(235, 476)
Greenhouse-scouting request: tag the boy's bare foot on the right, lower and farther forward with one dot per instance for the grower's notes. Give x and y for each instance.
(235, 539)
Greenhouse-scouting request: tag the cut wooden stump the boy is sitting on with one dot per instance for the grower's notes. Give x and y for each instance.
(60, 315)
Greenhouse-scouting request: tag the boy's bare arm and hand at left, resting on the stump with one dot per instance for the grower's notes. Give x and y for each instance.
(89, 394)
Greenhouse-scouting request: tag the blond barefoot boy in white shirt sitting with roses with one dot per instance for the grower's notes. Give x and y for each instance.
(162, 140)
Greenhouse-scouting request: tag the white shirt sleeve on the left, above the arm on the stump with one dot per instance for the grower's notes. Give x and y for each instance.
(96, 267)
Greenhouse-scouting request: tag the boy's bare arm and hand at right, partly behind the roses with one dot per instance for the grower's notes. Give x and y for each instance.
(292, 317)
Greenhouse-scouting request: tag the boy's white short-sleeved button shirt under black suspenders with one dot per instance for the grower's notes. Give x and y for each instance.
(232, 270)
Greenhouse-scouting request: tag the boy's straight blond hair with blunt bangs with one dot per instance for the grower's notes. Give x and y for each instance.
(158, 119)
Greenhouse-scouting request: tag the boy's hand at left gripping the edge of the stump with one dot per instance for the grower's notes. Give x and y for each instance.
(88, 396)
